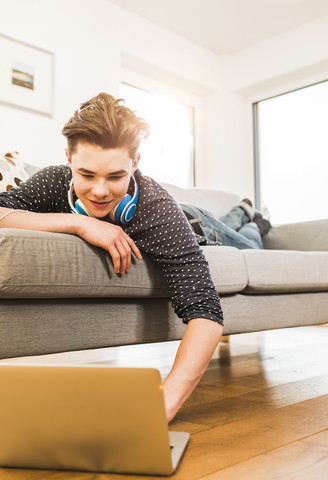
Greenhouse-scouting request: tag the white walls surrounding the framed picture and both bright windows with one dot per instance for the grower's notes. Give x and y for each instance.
(93, 40)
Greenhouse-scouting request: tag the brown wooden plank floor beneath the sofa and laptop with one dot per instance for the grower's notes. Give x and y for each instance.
(260, 412)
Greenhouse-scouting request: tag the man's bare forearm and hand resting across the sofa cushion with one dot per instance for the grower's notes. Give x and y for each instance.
(101, 234)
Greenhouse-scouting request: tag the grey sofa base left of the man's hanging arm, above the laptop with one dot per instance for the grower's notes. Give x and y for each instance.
(40, 326)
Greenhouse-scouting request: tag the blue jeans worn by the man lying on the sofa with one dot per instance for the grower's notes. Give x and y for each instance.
(234, 229)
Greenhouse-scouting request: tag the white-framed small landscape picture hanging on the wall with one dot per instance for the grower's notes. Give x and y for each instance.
(26, 76)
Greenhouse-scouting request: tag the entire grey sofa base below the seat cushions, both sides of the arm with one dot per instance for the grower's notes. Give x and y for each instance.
(36, 327)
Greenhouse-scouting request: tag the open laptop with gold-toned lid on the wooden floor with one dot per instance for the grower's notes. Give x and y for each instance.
(91, 418)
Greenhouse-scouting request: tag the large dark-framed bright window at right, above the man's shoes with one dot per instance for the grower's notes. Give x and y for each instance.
(292, 155)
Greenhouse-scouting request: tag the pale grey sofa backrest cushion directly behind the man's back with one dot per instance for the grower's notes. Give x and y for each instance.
(216, 202)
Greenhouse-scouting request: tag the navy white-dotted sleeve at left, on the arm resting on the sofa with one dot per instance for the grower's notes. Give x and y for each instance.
(43, 192)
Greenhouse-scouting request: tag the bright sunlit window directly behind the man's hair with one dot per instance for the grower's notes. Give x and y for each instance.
(168, 154)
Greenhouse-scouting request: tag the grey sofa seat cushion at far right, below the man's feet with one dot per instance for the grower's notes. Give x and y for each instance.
(278, 271)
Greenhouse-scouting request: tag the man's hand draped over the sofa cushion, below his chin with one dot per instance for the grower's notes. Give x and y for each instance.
(111, 238)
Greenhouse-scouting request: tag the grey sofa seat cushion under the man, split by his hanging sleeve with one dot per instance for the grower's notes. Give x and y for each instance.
(54, 265)
